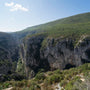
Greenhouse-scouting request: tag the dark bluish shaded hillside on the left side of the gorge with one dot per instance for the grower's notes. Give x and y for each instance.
(7, 52)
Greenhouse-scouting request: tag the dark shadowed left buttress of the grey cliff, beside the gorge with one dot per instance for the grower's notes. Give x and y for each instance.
(30, 54)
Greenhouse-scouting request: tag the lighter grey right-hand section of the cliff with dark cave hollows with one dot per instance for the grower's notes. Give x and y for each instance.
(63, 55)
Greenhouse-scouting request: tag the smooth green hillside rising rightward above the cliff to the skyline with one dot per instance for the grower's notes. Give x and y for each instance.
(66, 27)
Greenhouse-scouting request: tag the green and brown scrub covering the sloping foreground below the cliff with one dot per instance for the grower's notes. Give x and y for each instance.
(69, 79)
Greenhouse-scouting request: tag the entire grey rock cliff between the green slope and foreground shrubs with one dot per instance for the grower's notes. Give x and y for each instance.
(62, 55)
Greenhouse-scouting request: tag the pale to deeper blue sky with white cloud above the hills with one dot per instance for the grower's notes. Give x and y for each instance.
(16, 15)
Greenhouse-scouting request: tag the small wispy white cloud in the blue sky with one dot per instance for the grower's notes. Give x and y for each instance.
(16, 7)
